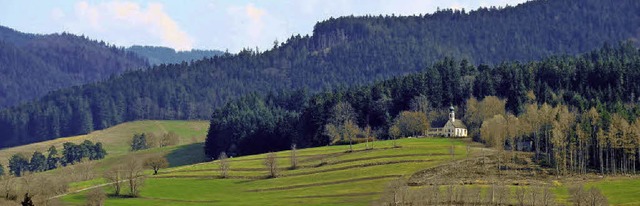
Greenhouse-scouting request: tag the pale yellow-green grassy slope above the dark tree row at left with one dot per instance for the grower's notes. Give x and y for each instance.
(116, 139)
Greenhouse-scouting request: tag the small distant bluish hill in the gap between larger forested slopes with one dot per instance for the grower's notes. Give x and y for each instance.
(163, 55)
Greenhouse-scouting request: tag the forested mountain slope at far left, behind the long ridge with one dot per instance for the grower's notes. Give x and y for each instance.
(32, 65)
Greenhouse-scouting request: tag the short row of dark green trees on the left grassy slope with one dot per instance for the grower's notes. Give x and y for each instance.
(71, 154)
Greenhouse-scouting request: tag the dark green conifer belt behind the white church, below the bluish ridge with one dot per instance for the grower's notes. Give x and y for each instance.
(603, 79)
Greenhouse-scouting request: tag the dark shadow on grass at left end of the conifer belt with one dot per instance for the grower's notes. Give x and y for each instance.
(186, 155)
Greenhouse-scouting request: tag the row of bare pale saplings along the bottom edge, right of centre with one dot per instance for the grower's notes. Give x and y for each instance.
(399, 193)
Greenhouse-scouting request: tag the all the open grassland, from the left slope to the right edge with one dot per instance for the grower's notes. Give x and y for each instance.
(325, 175)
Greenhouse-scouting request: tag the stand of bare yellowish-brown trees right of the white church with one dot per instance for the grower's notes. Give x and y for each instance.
(571, 140)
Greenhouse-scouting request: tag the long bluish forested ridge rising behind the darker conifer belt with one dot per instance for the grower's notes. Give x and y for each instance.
(343, 51)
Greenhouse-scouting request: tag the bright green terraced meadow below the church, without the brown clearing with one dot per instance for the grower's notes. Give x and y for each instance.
(354, 178)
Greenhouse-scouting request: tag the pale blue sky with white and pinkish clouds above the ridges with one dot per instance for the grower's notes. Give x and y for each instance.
(204, 24)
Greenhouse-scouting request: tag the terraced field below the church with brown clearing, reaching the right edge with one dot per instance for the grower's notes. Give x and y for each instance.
(331, 176)
